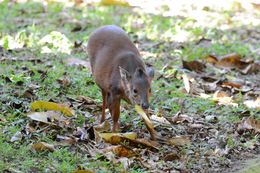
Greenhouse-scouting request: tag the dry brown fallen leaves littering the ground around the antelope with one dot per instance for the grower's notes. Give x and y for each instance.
(188, 138)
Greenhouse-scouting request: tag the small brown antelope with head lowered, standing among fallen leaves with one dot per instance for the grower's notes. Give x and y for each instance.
(118, 70)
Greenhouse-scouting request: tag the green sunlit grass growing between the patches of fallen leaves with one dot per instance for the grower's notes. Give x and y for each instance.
(26, 24)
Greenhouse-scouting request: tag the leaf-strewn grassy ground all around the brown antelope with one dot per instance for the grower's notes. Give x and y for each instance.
(205, 103)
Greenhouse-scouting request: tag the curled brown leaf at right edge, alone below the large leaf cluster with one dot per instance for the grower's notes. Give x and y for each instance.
(248, 124)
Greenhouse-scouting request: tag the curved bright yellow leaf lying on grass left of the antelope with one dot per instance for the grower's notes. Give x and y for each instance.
(51, 106)
